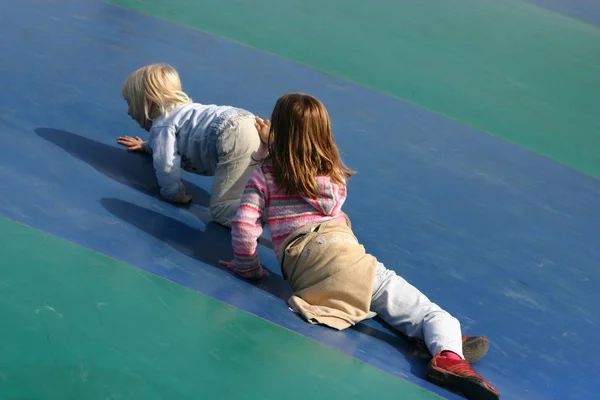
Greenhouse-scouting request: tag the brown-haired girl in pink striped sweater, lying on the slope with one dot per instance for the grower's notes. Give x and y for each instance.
(300, 188)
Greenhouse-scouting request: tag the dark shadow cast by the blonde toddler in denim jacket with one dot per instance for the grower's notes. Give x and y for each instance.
(132, 169)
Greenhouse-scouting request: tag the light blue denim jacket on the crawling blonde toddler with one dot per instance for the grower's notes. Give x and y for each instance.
(187, 138)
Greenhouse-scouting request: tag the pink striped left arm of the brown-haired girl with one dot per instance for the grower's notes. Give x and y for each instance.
(247, 227)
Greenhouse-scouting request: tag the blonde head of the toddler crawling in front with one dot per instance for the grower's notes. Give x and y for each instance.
(152, 91)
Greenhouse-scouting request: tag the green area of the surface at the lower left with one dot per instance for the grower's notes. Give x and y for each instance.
(85, 326)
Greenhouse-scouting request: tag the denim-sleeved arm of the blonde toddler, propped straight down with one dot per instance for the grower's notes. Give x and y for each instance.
(167, 164)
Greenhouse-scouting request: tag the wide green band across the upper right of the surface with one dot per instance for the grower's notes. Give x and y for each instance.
(512, 69)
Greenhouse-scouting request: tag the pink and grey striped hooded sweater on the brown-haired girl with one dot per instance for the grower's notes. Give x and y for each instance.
(285, 214)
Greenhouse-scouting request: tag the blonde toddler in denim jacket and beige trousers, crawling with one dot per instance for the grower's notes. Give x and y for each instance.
(210, 140)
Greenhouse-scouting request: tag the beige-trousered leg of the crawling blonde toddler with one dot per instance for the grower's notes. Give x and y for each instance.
(239, 143)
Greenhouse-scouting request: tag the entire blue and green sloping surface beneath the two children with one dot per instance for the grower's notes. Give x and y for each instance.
(471, 124)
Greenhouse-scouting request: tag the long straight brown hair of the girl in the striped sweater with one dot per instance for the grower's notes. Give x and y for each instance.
(302, 145)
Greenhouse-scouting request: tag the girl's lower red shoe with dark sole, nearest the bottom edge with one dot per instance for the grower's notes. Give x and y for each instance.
(458, 374)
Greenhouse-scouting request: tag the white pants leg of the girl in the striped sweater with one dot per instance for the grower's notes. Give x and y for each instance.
(409, 311)
